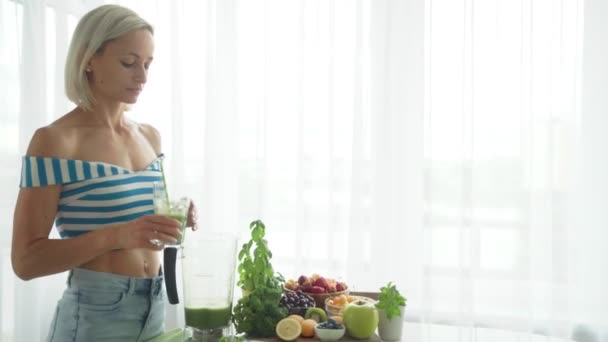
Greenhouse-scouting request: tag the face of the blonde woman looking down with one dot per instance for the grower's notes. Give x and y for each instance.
(119, 72)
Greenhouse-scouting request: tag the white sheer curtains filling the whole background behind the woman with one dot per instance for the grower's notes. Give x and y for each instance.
(453, 147)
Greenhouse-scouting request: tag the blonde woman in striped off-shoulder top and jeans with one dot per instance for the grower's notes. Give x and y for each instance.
(91, 173)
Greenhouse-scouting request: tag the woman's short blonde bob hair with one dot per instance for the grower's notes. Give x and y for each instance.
(94, 30)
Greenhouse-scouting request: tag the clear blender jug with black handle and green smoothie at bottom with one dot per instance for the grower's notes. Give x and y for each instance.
(208, 264)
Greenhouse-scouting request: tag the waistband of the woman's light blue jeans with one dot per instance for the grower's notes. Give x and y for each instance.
(86, 279)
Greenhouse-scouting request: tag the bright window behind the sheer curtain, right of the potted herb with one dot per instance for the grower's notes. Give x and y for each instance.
(500, 125)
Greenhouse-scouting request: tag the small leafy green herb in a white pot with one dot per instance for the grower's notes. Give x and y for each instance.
(390, 305)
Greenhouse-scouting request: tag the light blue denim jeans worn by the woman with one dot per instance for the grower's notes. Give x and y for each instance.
(99, 306)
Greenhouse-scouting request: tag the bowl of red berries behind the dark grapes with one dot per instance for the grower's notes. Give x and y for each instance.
(318, 287)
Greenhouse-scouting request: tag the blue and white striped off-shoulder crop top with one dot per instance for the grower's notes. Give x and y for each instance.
(94, 194)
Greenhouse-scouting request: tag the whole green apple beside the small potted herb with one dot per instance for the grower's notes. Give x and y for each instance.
(361, 319)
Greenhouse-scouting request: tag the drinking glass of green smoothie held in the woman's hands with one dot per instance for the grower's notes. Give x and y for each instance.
(176, 208)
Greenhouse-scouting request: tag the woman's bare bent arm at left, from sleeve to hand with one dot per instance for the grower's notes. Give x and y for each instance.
(34, 255)
